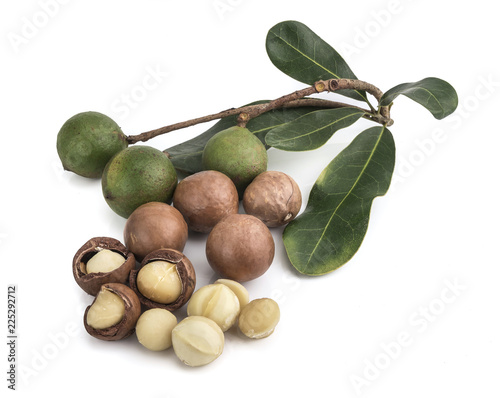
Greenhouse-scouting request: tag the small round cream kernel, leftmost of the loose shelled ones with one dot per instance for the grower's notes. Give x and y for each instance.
(154, 329)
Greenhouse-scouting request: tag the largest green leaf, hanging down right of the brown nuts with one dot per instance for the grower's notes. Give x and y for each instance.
(331, 228)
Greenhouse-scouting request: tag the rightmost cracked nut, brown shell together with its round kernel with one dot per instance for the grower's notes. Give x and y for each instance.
(165, 279)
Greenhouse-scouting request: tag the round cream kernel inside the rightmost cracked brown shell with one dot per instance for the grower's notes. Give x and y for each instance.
(159, 281)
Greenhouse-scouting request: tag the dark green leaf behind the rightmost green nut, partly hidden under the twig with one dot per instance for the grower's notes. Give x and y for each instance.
(186, 156)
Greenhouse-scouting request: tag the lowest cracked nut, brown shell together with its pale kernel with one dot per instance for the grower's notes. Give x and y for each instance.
(113, 313)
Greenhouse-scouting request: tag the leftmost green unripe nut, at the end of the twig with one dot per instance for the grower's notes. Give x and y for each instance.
(87, 141)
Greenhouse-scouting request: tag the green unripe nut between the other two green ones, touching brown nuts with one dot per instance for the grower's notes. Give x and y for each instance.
(138, 175)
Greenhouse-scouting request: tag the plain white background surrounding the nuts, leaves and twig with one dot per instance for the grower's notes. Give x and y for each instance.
(414, 313)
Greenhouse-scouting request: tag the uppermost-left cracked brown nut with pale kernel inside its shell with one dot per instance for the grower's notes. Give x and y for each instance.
(102, 260)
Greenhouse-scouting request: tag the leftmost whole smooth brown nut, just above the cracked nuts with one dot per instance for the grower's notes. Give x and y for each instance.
(153, 226)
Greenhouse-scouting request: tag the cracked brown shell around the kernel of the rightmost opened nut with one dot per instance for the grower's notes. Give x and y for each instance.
(186, 273)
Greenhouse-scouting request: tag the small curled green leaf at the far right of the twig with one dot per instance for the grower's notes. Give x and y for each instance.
(436, 95)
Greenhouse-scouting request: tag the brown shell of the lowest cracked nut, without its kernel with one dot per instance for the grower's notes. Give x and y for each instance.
(126, 326)
